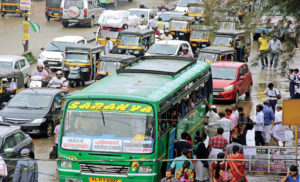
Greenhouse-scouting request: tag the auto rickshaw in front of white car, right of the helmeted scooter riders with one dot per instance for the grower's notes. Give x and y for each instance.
(81, 62)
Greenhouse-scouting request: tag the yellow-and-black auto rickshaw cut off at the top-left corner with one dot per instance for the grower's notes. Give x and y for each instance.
(10, 6)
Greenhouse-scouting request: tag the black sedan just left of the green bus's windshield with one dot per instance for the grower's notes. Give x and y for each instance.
(36, 111)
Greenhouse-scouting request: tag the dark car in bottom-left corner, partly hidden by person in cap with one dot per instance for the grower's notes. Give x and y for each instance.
(13, 140)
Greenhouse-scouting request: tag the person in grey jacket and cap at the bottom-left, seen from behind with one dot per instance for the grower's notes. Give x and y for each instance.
(26, 169)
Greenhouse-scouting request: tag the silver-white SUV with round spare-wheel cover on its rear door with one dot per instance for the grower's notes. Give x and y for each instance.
(80, 12)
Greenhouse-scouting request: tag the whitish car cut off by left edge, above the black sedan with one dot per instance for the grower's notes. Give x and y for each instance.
(13, 62)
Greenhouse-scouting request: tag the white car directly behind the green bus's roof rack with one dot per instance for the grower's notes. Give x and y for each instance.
(168, 47)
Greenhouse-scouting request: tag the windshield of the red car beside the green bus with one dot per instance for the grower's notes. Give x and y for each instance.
(220, 73)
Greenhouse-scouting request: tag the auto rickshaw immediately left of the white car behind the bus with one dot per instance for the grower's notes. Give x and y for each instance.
(135, 42)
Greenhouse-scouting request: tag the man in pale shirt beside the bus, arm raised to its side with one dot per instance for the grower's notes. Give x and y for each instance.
(211, 119)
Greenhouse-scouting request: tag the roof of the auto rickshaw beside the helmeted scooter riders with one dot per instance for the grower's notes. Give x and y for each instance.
(85, 48)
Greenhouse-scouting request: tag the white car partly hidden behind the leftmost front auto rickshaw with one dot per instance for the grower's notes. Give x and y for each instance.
(53, 54)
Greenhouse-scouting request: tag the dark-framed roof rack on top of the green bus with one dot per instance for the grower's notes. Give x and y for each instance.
(161, 65)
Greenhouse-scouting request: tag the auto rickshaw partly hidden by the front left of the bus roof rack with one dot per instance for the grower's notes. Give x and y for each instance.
(111, 62)
